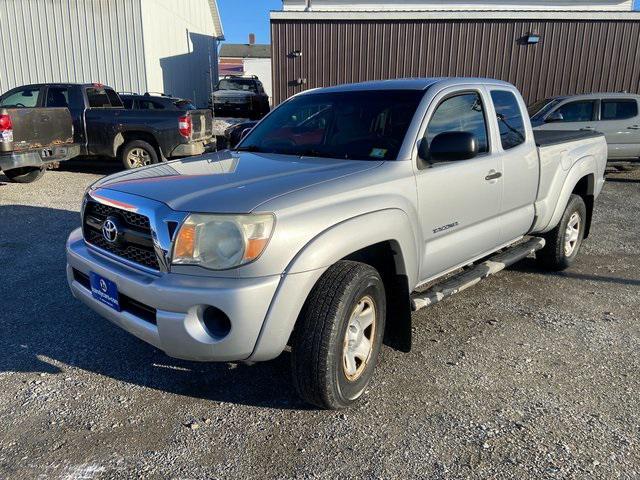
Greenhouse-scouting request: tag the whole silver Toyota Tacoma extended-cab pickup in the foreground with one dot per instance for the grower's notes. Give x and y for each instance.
(318, 229)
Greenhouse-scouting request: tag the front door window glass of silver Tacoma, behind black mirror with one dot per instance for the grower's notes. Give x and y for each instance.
(461, 113)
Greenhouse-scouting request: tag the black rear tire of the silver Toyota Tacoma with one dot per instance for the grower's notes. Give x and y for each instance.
(554, 256)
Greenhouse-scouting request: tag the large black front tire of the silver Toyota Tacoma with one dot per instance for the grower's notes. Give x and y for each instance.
(319, 361)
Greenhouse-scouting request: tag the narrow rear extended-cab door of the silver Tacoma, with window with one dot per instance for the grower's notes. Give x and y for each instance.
(518, 154)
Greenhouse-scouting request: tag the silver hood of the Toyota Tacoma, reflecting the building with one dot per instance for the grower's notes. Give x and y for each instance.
(229, 182)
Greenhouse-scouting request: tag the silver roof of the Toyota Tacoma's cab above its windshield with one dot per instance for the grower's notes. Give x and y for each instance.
(408, 84)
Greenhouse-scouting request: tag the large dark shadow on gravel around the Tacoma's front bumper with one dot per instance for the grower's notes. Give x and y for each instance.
(43, 328)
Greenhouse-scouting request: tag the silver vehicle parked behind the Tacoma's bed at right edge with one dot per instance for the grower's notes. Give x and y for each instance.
(616, 115)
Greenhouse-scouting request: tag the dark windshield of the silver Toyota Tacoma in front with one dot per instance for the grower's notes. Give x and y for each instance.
(362, 125)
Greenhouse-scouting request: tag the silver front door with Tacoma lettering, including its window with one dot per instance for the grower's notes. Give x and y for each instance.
(458, 201)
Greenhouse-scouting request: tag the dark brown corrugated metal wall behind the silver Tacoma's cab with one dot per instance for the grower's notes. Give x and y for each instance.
(572, 57)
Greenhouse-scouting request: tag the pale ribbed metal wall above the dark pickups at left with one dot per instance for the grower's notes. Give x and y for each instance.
(72, 40)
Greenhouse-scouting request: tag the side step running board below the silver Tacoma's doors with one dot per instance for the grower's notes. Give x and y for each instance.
(475, 274)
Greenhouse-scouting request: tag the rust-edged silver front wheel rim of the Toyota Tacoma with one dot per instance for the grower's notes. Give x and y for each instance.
(358, 339)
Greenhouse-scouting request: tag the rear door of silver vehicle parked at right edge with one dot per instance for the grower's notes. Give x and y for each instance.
(620, 123)
